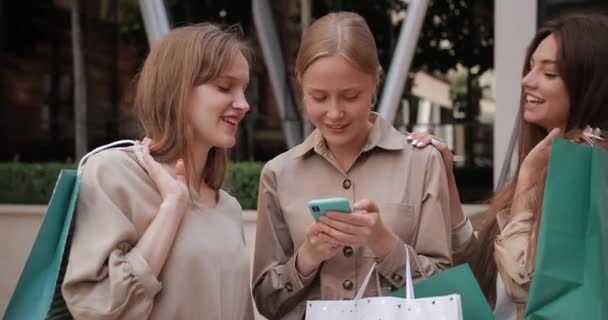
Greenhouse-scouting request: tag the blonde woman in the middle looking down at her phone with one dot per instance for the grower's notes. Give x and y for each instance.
(399, 193)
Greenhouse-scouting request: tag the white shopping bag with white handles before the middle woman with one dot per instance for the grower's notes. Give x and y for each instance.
(387, 308)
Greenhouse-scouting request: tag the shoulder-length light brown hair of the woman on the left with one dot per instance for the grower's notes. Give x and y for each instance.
(182, 59)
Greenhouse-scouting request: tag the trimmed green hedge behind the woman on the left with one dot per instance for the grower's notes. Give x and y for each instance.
(32, 183)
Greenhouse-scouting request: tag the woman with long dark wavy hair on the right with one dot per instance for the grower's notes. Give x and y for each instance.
(564, 92)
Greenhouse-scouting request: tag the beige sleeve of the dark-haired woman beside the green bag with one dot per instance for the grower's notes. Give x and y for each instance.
(512, 253)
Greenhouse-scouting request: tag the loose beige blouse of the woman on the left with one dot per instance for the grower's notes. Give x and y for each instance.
(206, 275)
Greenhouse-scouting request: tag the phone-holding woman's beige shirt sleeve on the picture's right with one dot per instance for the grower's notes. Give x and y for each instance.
(431, 250)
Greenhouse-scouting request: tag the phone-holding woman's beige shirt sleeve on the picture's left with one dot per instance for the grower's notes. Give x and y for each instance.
(277, 285)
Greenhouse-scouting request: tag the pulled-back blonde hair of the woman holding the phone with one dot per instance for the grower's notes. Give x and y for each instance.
(343, 33)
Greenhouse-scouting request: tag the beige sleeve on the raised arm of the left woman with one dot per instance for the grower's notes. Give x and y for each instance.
(105, 277)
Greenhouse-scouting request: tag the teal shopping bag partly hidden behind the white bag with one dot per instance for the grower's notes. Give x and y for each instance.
(458, 280)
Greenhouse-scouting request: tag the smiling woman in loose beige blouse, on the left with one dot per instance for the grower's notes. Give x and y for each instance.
(149, 218)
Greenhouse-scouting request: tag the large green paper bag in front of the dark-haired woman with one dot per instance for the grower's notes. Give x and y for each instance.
(570, 273)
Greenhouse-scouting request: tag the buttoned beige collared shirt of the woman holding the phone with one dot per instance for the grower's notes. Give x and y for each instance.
(408, 184)
